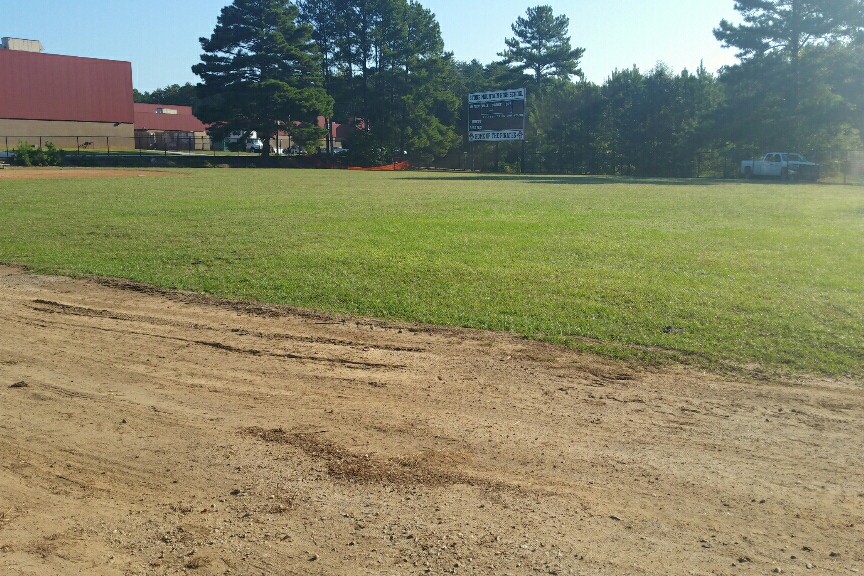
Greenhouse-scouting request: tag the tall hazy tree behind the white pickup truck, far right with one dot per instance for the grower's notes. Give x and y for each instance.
(778, 95)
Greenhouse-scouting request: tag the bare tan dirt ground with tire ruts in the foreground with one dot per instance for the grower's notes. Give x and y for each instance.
(144, 432)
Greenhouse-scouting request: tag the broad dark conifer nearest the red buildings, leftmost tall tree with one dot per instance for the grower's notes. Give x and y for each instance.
(259, 68)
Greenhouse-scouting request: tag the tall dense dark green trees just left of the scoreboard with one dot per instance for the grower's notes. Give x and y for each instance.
(389, 74)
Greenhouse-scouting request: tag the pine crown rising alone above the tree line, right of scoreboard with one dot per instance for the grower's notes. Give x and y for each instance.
(541, 46)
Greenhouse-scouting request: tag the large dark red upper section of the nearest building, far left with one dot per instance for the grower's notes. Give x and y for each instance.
(36, 86)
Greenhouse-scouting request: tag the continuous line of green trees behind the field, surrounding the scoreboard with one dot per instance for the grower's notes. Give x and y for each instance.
(381, 66)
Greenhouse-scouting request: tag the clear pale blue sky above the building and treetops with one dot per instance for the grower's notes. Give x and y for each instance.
(160, 37)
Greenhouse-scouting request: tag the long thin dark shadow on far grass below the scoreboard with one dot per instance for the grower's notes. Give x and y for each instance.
(573, 180)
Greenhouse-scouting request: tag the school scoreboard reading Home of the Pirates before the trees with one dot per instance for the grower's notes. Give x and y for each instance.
(496, 116)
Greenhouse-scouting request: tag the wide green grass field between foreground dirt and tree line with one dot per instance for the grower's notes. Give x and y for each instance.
(721, 274)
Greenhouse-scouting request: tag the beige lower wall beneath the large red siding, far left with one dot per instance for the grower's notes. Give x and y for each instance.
(67, 135)
